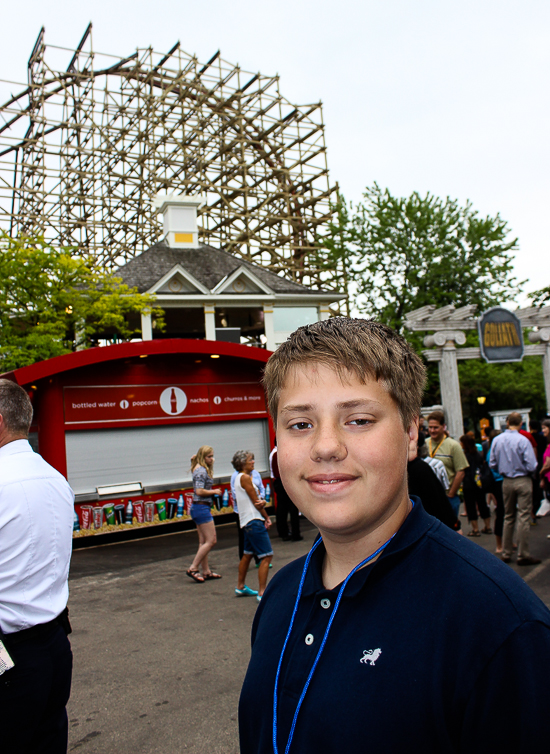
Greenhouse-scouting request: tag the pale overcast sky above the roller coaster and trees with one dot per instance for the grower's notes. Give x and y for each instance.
(419, 95)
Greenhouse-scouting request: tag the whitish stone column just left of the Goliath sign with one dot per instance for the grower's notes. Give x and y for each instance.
(448, 377)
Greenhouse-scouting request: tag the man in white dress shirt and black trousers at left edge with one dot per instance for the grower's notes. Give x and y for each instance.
(36, 521)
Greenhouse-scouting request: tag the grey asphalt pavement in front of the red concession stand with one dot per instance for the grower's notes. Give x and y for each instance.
(159, 660)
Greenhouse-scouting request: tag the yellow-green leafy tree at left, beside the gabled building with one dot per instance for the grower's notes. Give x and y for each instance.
(52, 302)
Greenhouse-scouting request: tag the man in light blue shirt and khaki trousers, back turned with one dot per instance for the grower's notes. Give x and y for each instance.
(512, 455)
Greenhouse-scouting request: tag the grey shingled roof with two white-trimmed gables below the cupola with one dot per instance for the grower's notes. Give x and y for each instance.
(207, 265)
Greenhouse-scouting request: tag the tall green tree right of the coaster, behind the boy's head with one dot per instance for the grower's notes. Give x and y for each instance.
(406, 252)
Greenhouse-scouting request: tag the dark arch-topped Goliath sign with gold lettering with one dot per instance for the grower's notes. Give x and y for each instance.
(500, 336)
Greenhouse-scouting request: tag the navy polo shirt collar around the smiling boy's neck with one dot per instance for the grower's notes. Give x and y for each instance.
(412, 530)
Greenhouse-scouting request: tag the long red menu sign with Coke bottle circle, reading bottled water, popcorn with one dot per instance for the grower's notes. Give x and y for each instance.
(137, 403)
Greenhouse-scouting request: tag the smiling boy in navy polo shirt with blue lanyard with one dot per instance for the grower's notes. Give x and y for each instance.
(394, 634)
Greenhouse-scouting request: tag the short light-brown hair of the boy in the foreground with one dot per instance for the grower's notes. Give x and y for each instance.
(362, 347)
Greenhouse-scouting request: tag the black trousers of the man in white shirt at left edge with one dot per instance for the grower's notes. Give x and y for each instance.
(34, 694)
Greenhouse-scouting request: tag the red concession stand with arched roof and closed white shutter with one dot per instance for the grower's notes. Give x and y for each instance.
(121, 423)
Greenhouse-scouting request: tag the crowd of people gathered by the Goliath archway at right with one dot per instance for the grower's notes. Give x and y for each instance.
(507, 472)
